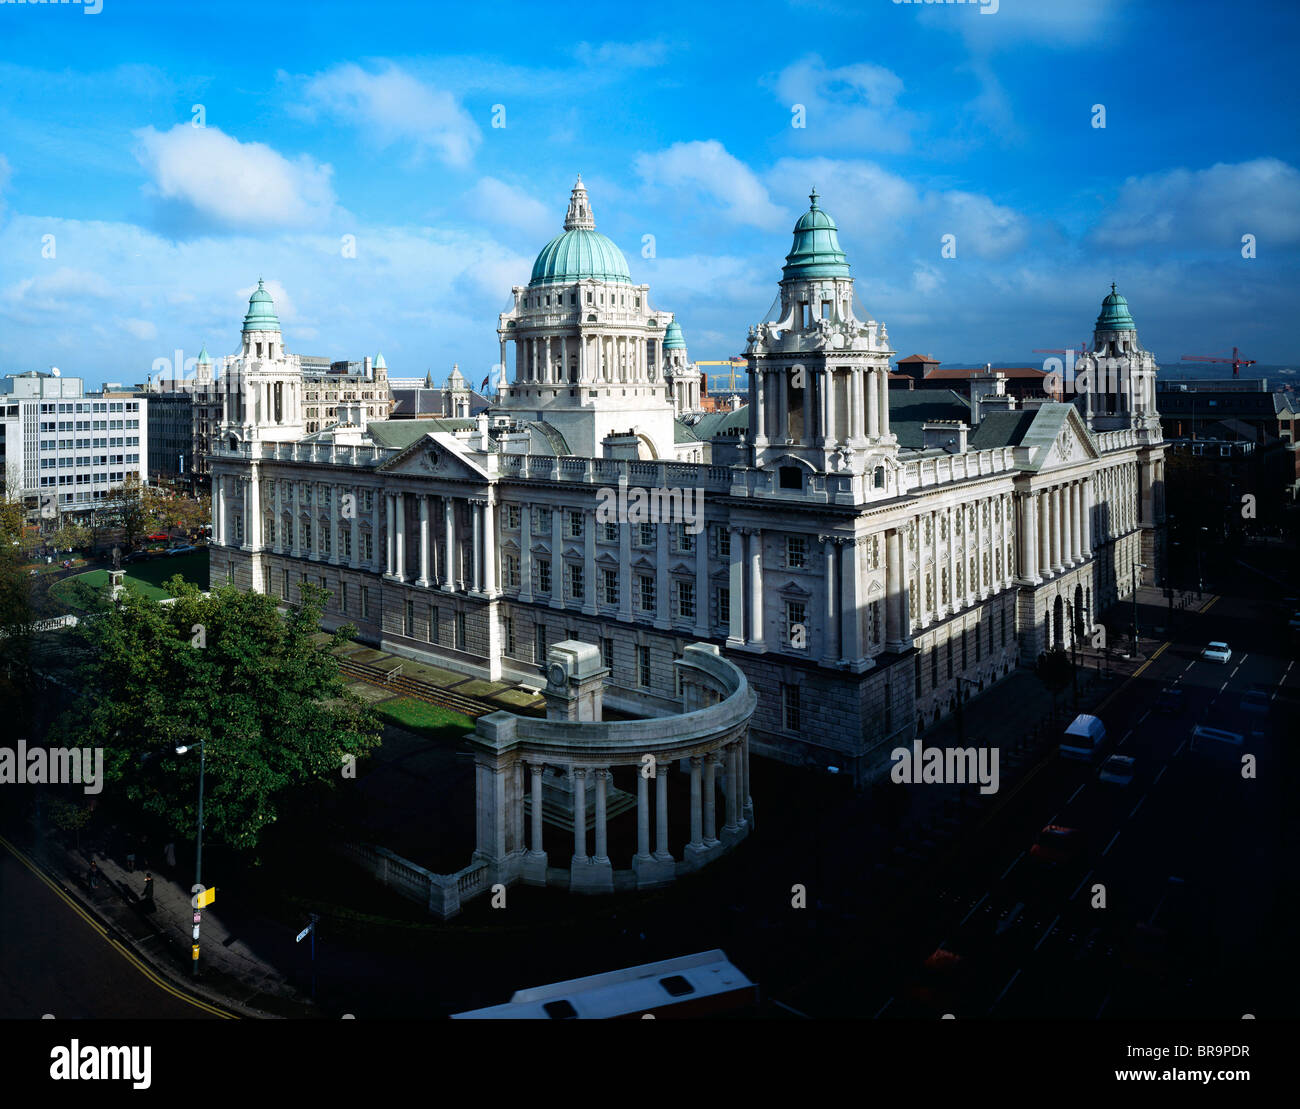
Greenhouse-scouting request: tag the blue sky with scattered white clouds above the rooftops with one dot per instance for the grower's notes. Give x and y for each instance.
(376, 122)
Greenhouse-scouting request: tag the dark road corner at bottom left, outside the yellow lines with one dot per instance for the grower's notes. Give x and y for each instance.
(55, 959)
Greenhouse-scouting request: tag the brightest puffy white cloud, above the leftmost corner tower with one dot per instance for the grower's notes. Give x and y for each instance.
(240, 185)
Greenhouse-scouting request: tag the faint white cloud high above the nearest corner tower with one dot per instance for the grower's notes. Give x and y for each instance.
(850, 107)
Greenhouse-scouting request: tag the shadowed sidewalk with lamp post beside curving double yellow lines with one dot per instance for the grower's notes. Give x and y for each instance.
(232, 976)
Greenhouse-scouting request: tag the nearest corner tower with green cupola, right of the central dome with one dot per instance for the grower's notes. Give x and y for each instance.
(818, 371)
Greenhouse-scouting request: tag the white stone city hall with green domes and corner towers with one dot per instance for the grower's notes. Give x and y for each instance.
(859, 552)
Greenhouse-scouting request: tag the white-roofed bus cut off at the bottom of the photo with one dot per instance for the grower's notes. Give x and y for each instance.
(704, 985)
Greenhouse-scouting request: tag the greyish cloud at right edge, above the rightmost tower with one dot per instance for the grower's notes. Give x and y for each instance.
(1207, 207)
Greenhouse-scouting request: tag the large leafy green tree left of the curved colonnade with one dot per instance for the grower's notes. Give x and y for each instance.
(228, 670)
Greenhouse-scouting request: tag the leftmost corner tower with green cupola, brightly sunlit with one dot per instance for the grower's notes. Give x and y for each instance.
(263, 383)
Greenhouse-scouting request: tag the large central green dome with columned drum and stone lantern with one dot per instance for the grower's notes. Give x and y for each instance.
(590, 353)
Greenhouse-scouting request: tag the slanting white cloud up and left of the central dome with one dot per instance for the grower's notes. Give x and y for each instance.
(395, 107)
